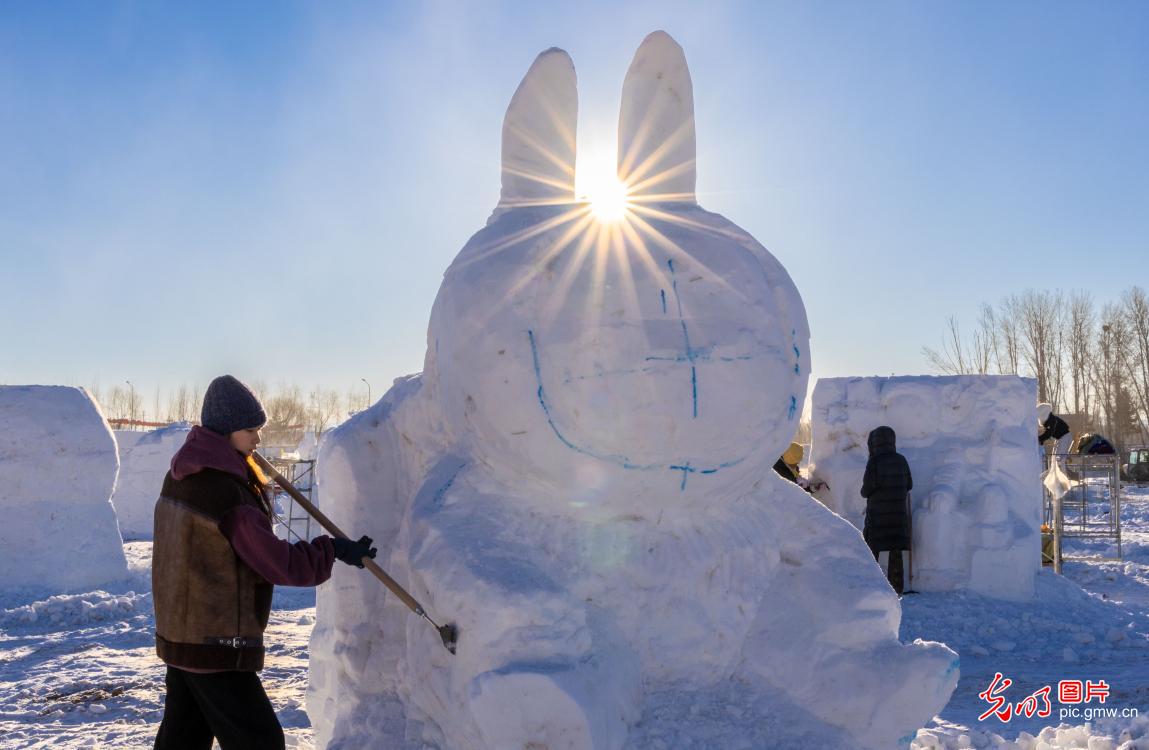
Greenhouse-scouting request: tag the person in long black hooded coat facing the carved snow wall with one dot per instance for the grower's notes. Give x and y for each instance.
(886, 488)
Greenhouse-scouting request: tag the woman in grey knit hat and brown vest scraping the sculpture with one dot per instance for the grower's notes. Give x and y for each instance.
(214, 562)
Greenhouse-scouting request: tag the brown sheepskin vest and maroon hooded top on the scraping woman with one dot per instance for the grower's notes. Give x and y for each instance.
(215, 559)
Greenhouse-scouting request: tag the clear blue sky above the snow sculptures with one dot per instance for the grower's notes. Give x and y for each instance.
(275, 189)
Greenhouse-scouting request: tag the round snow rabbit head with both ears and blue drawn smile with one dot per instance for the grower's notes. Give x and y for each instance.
(666, 351)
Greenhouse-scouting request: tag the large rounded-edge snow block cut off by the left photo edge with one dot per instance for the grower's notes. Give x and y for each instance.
(58, 469)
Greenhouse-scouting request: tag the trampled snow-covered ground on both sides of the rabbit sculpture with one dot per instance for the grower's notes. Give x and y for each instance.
(79, 671)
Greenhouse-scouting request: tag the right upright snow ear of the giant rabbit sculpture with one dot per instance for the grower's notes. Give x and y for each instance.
(657, 125)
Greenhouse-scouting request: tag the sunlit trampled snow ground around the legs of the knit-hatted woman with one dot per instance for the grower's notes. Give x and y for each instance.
(80, 670)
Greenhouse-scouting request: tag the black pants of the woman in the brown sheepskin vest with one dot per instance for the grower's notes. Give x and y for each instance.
(230, 707)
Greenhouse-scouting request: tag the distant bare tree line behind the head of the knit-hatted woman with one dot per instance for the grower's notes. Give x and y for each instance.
(291, 412)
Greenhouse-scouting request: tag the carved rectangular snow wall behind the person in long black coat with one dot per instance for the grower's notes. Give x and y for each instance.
(971, 447)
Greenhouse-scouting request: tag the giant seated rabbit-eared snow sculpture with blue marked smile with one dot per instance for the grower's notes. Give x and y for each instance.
(582, 481)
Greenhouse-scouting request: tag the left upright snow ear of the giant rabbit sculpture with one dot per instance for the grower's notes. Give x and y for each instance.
(538, 166)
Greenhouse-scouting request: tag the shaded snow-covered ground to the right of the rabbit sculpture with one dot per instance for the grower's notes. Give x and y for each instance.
(1090, 625)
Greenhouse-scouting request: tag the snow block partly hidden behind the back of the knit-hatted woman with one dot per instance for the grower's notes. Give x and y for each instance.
(144, 460)
